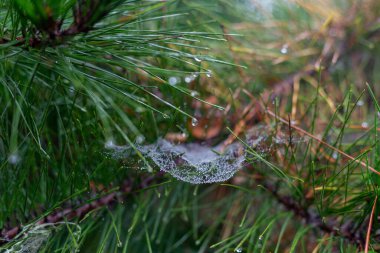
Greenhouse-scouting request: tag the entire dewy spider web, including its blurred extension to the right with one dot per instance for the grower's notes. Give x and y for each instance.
(199, 164)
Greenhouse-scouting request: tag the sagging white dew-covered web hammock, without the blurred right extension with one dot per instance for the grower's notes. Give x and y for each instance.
(192, 162)
